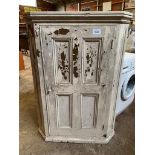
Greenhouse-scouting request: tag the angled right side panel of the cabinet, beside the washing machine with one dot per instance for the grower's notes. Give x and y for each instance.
(115, 61)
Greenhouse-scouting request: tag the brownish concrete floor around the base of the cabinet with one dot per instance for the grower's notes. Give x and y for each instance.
(31, 142)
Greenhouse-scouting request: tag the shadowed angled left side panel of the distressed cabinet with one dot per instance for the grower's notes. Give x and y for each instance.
(38, 77)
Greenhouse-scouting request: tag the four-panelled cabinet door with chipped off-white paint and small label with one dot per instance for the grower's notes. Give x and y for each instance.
(78, 64)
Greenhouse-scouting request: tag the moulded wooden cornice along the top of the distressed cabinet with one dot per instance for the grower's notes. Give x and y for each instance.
(80, 17)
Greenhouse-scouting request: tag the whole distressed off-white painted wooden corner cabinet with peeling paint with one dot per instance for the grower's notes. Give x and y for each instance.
(76, 62)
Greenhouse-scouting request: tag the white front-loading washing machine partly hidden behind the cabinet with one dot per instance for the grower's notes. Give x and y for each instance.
(126, 90)
